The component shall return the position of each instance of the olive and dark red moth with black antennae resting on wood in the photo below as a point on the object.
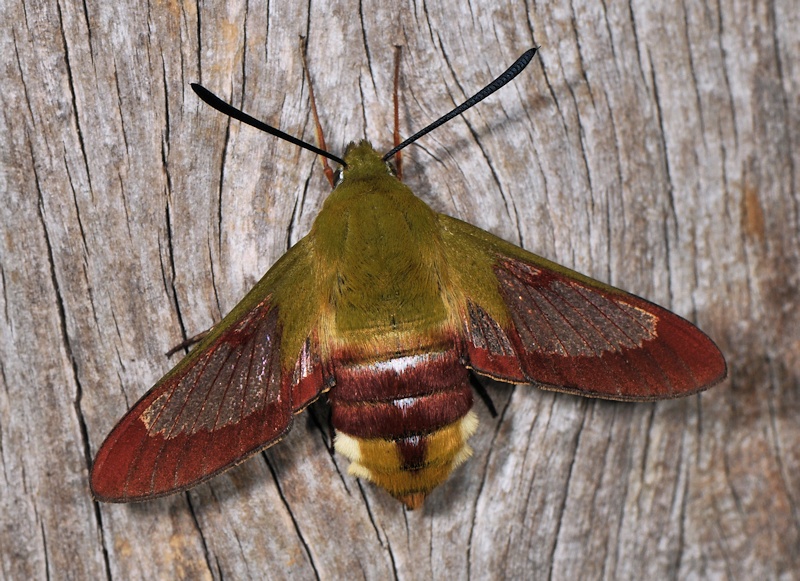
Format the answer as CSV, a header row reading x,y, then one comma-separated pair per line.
x,y
388,307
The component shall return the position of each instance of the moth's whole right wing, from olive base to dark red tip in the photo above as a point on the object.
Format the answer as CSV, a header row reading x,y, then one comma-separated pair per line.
x,y
530,320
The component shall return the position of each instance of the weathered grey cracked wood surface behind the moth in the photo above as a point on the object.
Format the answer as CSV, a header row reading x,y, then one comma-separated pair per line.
x,y
656,148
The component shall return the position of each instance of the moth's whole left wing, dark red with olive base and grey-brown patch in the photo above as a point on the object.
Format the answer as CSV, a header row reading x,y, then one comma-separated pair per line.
x,y
233,395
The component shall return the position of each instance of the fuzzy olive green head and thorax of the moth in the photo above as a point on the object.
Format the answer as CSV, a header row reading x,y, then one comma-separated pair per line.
x,y
380,252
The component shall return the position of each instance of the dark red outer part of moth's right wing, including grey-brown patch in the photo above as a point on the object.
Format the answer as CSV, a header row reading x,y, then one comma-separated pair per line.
x,y
572,337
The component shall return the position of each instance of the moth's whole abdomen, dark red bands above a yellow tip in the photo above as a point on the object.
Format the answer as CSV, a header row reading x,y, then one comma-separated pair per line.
x,y
403,421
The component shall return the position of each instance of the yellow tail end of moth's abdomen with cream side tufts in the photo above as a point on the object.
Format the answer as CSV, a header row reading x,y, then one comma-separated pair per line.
x,y
385,462
